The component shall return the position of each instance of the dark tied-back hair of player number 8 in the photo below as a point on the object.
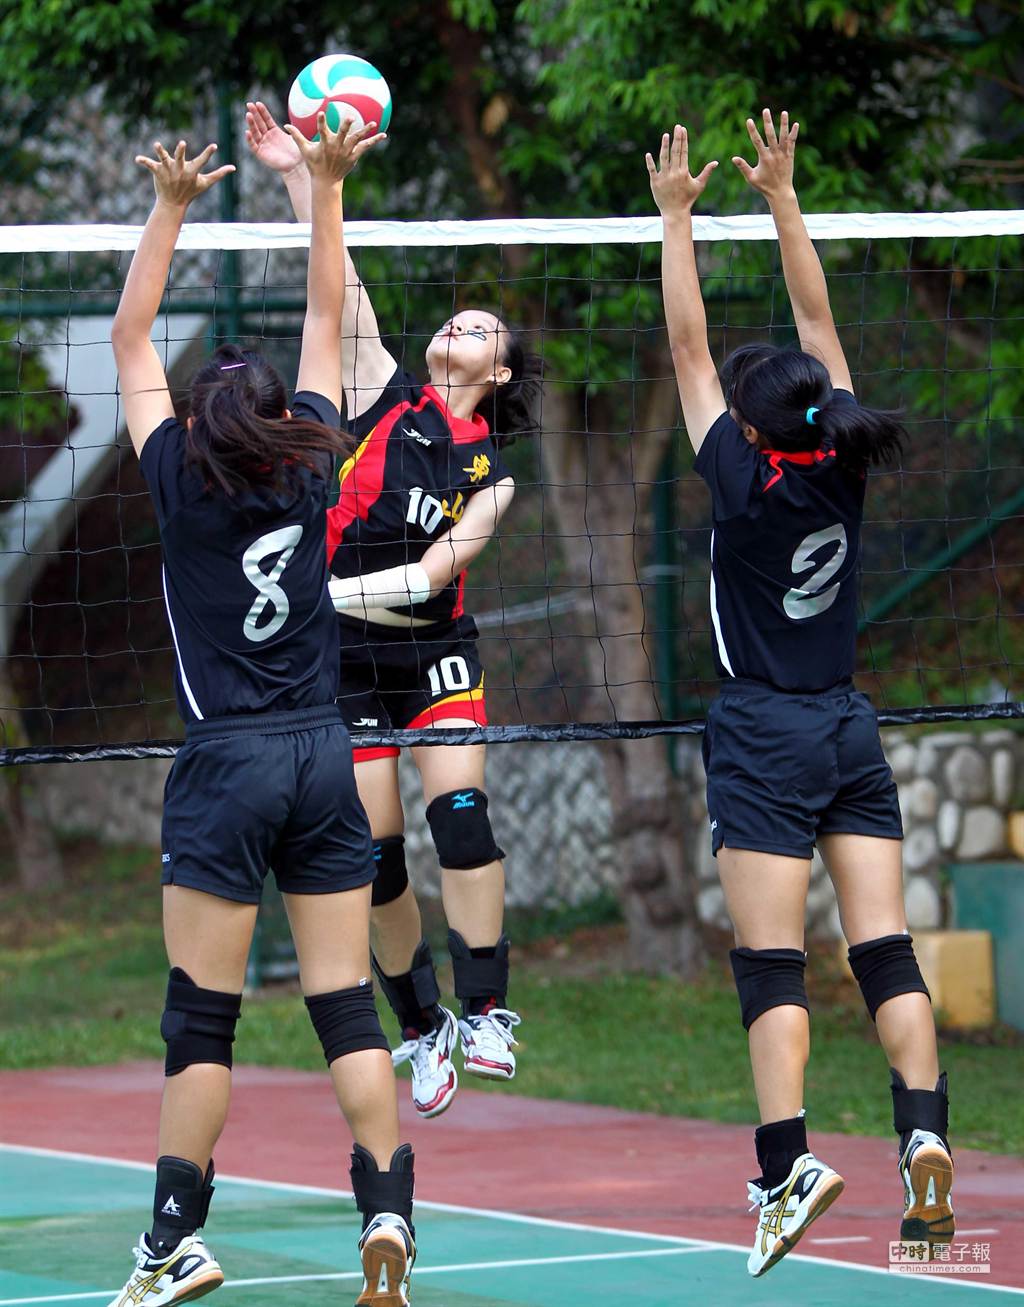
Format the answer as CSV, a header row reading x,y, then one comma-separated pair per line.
x,y
239,436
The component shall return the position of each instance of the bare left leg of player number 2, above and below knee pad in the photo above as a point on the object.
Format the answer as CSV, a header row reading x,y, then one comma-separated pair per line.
x,y
767,897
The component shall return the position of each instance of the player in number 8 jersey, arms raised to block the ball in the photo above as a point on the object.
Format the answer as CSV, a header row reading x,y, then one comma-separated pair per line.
x,y
266,773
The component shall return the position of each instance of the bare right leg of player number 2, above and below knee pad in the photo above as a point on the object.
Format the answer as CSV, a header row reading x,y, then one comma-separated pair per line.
x,y
868,875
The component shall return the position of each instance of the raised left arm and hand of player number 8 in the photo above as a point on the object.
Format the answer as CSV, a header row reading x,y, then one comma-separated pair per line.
x,y
141,373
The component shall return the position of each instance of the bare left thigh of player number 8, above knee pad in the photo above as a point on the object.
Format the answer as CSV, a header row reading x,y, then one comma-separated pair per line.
x,y
209,938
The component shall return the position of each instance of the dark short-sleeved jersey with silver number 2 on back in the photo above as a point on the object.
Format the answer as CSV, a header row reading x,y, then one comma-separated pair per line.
x,y
785,550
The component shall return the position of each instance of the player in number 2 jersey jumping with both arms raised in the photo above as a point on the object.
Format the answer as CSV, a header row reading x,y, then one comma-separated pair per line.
x,y
793,753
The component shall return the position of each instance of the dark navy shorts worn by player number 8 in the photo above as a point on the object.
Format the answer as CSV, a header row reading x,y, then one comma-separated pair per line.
x,y
252,793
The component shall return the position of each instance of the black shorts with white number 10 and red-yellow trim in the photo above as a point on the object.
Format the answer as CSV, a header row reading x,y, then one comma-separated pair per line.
x,y
409,678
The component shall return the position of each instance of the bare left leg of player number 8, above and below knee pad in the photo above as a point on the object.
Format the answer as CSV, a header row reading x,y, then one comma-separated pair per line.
x,y
210,939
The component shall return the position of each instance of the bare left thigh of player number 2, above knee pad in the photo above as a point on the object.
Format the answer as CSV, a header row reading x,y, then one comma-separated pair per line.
x,y
767,897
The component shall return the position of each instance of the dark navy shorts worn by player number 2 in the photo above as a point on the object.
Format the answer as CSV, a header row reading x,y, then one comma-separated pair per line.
x,y
784,769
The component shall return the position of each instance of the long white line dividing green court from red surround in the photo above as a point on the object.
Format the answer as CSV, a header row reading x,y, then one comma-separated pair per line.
x,y
513,1217
